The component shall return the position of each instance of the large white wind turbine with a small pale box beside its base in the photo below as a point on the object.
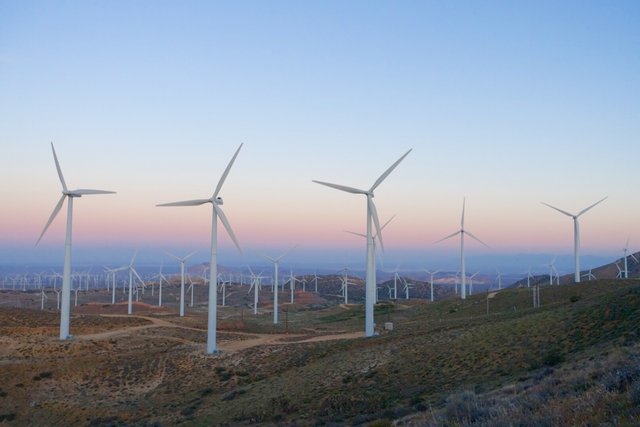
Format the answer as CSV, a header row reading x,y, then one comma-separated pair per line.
x,y
372,216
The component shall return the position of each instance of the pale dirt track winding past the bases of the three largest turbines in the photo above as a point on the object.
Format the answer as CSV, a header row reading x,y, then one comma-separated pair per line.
x,y
226,346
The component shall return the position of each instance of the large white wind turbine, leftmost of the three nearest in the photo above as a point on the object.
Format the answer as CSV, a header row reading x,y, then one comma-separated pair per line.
x,y
65,311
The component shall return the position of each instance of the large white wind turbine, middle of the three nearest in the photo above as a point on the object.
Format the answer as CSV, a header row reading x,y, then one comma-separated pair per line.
x,y
216,202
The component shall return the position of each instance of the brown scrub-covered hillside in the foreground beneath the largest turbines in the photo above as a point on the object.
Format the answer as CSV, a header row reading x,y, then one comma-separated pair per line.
x,y
575,360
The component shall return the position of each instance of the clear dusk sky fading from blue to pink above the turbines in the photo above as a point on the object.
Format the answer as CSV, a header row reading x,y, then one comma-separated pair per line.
x,y
505,103
